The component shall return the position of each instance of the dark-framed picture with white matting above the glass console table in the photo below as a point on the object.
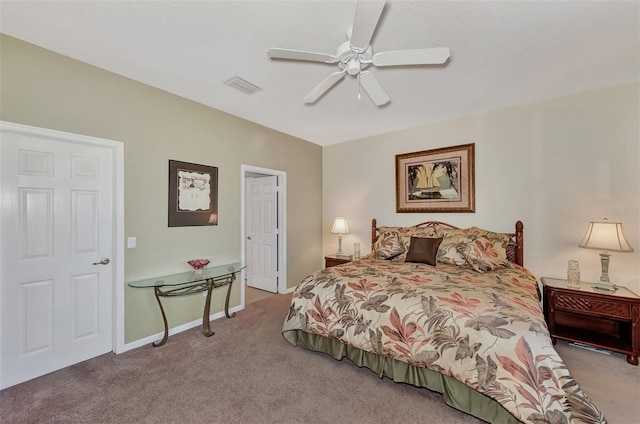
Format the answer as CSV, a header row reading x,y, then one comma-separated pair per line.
x,y
193,194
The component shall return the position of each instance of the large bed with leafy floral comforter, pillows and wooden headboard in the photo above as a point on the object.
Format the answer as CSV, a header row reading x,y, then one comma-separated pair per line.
x,y
448,309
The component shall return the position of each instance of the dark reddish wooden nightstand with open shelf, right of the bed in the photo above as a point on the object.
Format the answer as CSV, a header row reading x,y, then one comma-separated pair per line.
x,y
585,315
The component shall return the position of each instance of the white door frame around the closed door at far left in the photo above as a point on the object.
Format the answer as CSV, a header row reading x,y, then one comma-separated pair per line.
x,y
118,213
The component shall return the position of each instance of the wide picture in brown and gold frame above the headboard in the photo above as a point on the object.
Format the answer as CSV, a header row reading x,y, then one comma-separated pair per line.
x,y
438,180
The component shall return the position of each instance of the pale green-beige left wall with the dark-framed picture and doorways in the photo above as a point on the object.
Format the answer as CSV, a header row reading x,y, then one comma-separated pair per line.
x,y
44,89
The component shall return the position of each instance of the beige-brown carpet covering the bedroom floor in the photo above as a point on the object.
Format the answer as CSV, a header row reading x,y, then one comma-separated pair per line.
x,y
248,373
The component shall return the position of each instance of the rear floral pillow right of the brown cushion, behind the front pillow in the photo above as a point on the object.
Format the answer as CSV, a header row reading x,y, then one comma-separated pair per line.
x,y
453,238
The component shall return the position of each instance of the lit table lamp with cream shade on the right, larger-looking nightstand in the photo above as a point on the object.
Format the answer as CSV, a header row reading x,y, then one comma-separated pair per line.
x,y
607,236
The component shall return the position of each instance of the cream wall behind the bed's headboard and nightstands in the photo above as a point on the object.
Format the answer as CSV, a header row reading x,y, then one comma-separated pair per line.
x,y
555,165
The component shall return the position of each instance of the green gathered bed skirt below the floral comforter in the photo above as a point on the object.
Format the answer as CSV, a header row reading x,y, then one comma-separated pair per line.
x,y
455,393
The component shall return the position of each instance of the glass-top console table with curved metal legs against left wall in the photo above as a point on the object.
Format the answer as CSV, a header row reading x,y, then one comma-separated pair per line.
x,y
187,283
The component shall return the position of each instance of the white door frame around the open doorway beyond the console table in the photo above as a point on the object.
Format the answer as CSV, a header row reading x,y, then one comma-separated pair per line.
x,y
282,220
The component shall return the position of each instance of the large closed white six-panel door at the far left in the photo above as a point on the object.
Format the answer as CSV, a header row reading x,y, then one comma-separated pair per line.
x,y
56,282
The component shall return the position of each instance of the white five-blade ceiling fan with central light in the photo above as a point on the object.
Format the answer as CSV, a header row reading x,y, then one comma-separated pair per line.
x,y
355,55
